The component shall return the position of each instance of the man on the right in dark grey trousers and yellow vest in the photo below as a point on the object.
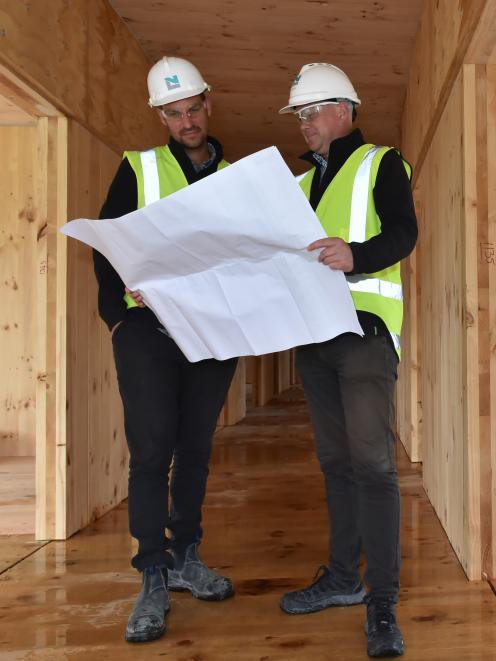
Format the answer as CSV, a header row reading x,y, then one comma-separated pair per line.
x,y
362,197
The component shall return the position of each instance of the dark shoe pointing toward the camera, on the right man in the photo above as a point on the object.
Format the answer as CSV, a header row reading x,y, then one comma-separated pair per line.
x,y
384,637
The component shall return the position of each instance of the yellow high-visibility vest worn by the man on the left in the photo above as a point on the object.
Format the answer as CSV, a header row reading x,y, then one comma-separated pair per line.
x,y
158,174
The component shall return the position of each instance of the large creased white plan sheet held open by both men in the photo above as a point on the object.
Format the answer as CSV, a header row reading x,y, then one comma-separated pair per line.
x,y
223,263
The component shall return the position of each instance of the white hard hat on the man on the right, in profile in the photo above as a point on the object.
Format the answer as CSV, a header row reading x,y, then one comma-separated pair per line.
x,y
317,82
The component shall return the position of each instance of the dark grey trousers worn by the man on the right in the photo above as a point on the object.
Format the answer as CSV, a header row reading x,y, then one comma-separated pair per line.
x,y
349,385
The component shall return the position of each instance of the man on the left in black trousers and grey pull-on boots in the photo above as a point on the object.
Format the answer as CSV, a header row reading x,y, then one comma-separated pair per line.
x,y
171,406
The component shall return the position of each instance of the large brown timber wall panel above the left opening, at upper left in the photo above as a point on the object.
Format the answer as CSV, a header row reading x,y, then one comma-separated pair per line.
x,y
80,56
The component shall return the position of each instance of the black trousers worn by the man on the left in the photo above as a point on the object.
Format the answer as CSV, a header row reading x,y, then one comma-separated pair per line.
x,y
171,407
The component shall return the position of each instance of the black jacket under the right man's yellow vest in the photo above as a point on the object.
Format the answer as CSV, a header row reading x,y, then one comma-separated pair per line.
x,y
394,205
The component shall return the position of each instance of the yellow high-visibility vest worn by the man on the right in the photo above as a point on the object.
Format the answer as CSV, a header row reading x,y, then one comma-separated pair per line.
x,y
347,210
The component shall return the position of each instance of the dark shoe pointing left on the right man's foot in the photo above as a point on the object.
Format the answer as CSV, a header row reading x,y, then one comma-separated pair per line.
x,y
322,593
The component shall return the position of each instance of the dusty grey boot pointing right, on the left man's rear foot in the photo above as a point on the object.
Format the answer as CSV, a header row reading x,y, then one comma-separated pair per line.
x,y
191,573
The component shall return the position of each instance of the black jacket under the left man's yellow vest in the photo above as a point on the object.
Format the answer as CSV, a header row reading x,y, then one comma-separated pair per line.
x,y
122,198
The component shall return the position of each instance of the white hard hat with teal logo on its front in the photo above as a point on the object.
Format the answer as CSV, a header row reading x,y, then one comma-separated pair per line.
x,y
172,79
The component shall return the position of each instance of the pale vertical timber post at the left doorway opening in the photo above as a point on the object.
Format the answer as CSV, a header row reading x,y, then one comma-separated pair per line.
x,y
51,313
